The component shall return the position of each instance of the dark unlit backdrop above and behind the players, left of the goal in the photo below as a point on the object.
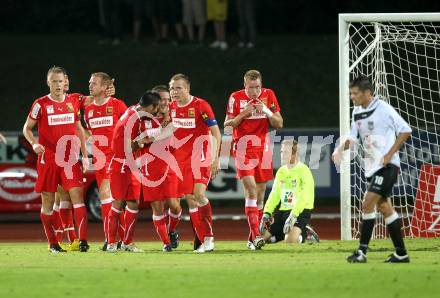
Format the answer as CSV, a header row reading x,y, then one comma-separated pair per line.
x,y
297,53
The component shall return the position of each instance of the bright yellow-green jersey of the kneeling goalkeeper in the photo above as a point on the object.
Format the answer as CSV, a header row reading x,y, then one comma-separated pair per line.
x,y
293,189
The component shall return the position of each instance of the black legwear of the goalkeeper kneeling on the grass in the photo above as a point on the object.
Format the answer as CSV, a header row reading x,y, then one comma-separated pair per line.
x,y
280,217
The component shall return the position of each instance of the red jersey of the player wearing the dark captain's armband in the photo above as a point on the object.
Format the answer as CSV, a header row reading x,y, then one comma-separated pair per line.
x,y
193,119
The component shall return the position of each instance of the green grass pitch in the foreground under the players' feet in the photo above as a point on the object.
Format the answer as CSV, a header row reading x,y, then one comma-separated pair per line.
x,y
28,270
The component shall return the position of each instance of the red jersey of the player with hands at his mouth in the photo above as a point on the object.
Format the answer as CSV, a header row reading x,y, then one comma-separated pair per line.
x,y
258,123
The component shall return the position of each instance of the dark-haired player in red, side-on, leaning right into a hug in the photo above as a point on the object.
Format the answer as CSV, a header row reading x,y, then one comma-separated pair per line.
x,y
123,172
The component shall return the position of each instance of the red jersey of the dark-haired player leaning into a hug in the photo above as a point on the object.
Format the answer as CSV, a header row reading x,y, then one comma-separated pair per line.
x,y
121,142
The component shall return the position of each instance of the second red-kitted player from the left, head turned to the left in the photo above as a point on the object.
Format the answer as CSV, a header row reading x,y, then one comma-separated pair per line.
x,y
101,117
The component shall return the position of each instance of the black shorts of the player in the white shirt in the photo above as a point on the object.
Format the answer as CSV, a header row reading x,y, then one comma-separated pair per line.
x,y
382,181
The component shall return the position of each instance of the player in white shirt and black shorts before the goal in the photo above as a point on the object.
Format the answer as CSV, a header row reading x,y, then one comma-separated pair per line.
x,y
380,131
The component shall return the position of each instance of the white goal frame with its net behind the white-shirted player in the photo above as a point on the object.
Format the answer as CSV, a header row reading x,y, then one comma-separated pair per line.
x,y
402,58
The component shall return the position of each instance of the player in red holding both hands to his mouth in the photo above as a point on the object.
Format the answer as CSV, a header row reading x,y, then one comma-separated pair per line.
x,y
250,112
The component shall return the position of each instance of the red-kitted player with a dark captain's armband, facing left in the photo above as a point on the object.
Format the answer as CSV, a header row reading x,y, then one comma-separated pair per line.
x,y
195,125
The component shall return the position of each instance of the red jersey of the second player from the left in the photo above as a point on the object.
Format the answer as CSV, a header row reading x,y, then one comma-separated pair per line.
x,y
101,120
